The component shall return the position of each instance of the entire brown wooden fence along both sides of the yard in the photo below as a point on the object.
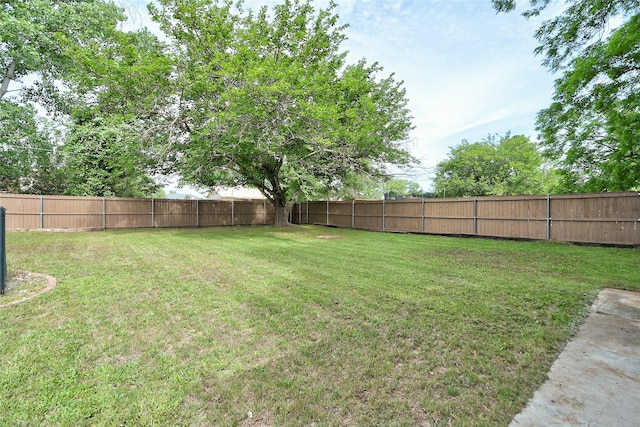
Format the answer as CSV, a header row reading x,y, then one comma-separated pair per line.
x,y
603,218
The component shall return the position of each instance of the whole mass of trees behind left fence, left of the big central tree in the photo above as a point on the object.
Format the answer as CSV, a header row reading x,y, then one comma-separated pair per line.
x,y
106,88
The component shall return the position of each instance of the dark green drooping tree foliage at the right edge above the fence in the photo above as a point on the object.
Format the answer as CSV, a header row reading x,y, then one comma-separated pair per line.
x,y
592,128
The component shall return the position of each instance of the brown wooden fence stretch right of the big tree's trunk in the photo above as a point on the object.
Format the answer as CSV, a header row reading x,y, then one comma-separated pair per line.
x,y
603,218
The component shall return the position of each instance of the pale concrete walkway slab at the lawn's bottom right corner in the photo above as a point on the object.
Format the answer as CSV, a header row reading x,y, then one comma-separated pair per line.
x,y
596,379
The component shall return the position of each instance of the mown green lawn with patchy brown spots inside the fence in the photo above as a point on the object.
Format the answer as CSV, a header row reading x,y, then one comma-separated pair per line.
x,y
263,326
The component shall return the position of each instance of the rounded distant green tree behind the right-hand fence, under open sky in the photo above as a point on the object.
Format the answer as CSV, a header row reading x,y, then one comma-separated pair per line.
x,y
508,166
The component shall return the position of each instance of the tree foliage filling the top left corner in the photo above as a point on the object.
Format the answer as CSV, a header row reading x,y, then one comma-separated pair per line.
x,y
37,36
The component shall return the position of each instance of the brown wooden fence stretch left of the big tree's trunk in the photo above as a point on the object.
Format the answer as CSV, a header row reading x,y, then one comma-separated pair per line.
x,y
25,212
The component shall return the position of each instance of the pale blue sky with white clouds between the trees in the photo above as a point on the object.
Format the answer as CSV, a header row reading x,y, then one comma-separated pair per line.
x,y
468,71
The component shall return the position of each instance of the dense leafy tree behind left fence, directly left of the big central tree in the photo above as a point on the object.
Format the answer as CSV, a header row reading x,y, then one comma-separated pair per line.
x,y
118,110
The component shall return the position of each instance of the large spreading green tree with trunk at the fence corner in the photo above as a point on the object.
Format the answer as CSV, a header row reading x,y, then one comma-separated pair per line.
x,y
267,100
